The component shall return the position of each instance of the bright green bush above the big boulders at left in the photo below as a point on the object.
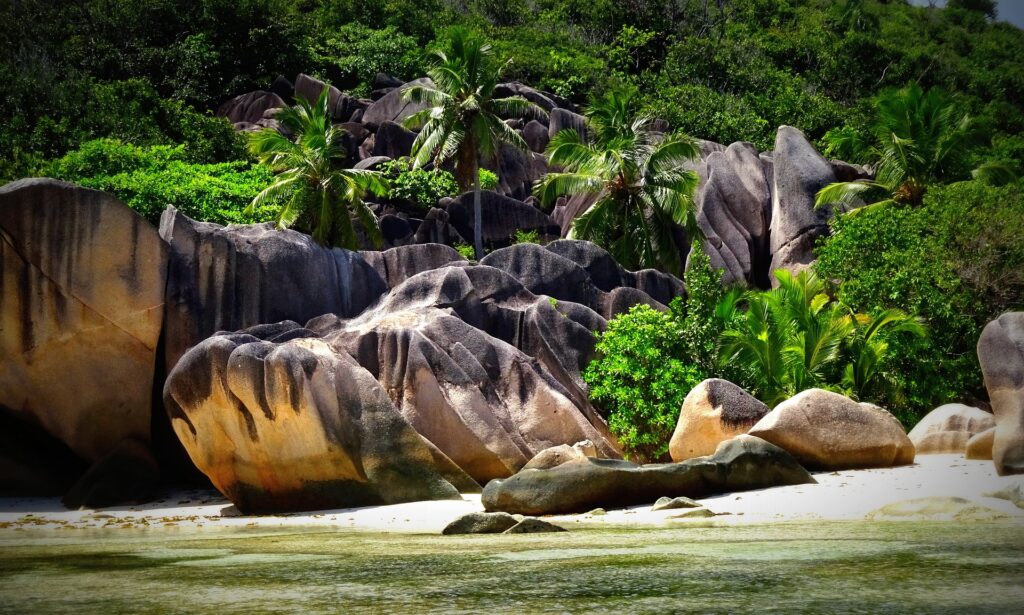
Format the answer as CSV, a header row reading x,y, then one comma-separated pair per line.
x,y
150,179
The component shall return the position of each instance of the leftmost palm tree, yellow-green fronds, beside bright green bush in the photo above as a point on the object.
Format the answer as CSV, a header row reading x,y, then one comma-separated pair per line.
x,y
319,196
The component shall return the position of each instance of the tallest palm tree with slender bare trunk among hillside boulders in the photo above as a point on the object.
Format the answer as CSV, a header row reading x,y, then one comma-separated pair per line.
x,y
463,120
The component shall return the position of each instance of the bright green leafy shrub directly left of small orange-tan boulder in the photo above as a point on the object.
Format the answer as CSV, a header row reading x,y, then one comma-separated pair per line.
x,y
641,378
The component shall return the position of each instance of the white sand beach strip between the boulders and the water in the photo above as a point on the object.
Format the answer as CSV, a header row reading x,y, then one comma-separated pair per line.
x,y
845,496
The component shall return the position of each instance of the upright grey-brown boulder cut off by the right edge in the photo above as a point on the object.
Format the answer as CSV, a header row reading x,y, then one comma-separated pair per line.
x,y
1001,353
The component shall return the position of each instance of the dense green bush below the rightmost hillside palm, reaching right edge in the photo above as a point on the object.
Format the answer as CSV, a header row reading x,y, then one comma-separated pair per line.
x,y
956,262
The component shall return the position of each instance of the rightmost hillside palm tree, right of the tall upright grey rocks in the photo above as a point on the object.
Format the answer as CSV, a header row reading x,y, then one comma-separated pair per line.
x,y
917,139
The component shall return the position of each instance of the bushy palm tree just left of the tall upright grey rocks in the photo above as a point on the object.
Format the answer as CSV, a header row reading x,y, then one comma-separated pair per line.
x,y
636,179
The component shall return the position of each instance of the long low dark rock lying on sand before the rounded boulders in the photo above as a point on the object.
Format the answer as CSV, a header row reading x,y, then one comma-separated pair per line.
x,y
742,464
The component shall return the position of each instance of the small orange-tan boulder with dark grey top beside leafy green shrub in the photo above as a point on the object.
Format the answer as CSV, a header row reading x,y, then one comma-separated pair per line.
x,y
714,412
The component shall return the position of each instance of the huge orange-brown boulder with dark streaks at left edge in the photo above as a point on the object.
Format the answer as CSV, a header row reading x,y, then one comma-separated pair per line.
x,y
82,282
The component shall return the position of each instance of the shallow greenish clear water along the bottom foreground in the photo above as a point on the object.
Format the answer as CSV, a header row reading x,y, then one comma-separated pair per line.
x,y
784,568
